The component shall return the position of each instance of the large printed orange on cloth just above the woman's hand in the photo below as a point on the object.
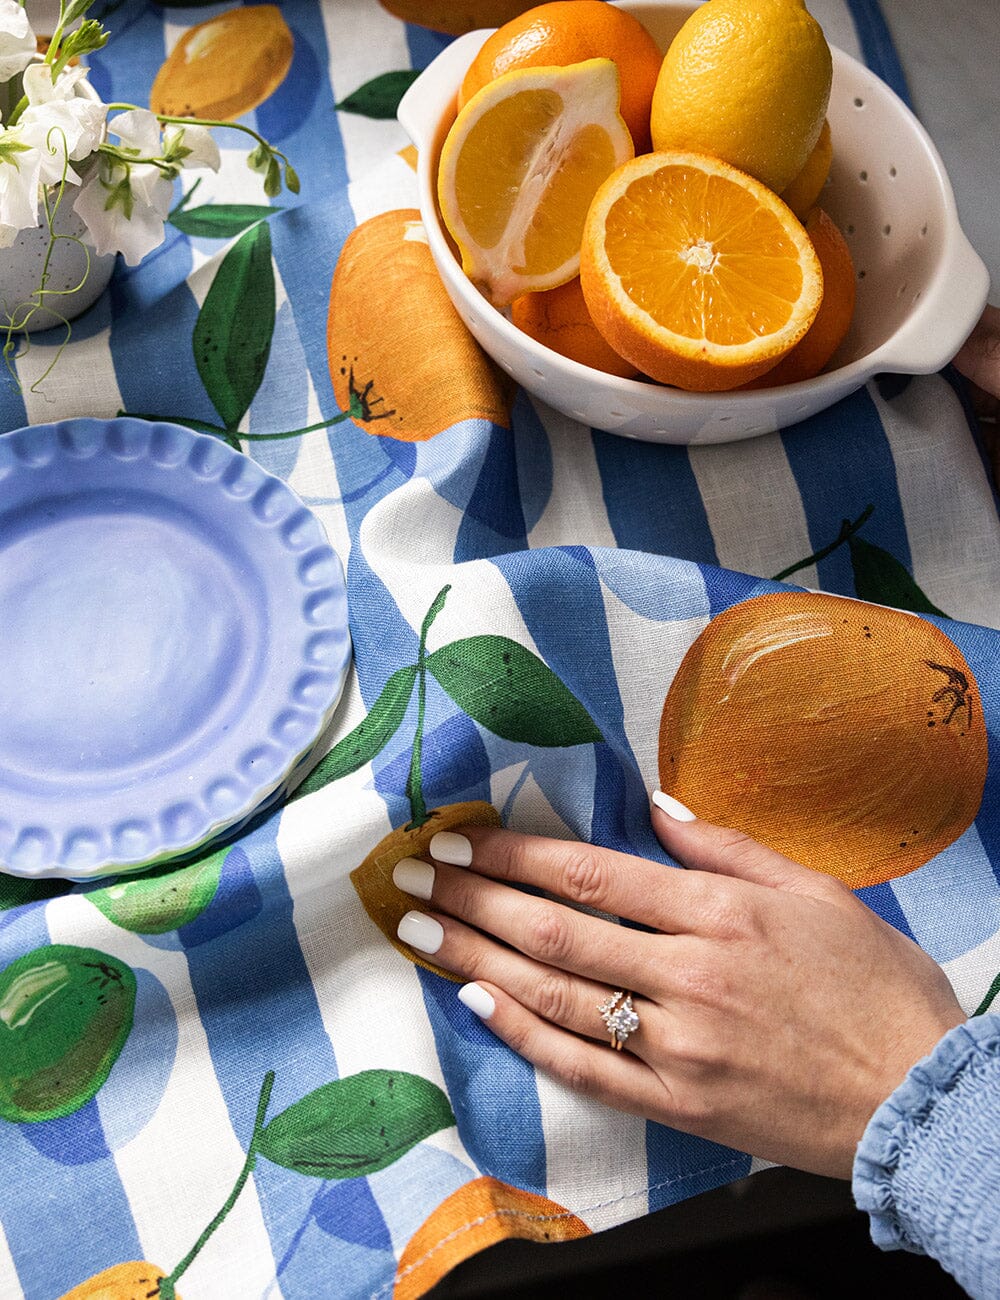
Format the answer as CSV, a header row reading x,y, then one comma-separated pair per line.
x,y
845,735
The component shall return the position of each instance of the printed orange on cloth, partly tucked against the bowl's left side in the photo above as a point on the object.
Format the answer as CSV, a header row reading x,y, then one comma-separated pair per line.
x,y
392,331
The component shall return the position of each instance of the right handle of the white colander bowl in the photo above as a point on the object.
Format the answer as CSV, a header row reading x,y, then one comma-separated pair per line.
x,y
946,315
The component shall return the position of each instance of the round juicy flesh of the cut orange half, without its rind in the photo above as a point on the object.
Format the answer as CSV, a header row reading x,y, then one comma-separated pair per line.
x,y
713,266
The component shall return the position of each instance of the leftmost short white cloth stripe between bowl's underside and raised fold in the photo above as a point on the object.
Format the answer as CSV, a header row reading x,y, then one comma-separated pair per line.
x,y
575,480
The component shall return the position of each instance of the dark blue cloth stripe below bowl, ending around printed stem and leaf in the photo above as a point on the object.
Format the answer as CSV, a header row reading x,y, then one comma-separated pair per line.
x,y
843,463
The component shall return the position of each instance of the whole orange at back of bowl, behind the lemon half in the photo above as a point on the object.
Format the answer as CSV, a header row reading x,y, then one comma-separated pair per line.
x,y
570,32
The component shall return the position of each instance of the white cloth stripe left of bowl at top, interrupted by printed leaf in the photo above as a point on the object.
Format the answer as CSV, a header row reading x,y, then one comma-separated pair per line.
x,y
367,38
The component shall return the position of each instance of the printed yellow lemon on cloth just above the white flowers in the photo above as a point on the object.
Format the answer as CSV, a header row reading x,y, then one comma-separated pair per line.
x,y
226,67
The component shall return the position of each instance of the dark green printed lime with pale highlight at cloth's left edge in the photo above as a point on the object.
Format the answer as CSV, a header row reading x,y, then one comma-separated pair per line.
x,y
66,1013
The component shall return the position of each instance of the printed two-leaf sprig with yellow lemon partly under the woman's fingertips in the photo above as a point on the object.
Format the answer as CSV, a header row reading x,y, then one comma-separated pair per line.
x,y
496,682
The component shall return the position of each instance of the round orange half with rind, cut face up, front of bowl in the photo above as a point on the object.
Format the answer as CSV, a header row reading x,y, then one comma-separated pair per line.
x,y
696,272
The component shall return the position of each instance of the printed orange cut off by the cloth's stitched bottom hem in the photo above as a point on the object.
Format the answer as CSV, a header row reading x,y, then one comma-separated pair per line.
x,y
477,1216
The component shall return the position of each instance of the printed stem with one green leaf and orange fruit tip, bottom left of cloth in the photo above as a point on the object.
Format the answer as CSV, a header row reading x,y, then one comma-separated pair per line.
x,y
347,1129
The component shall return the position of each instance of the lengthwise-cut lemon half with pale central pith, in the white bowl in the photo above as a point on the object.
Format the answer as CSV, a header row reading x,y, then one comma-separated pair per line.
x,y
520,168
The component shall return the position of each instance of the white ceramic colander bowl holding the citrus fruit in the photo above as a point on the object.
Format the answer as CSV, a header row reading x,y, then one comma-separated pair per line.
x,y
921,285
